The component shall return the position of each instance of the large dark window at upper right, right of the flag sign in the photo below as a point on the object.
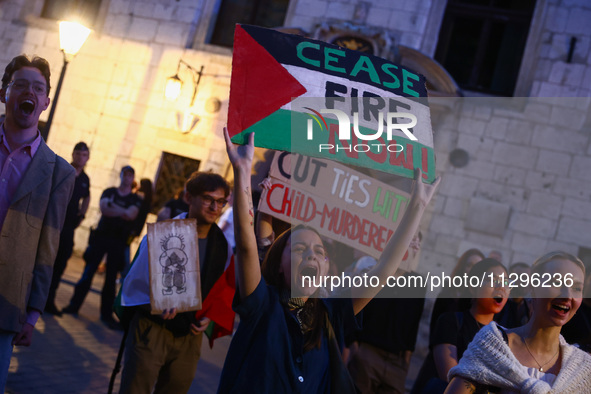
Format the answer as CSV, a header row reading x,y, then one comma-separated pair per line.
x,y
481,43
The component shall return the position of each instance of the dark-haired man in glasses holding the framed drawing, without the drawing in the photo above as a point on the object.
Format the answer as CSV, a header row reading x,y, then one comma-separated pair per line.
x,y
162,351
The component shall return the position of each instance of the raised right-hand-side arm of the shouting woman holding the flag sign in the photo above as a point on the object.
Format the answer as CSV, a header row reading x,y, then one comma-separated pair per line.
x,y
398,244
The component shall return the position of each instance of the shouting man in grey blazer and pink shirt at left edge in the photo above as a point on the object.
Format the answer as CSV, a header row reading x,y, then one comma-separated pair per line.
x,y
35,187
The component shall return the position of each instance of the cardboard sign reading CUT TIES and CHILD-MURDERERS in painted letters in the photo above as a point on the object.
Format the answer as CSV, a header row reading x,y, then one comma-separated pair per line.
x,y
340,203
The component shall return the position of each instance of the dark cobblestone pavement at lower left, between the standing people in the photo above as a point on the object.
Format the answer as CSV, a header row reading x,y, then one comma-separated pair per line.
x,y
77,354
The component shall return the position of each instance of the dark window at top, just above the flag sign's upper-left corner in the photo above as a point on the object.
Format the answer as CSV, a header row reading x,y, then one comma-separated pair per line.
x,y
264,13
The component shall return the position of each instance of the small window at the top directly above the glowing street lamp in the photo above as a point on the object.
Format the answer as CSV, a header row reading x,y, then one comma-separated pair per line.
x,y
83,11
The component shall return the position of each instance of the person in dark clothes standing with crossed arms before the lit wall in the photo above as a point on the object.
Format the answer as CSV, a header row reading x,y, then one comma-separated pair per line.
x,y
119,207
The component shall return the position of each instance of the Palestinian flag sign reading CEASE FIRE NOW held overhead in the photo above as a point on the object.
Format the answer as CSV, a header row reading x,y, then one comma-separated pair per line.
x,y
317,99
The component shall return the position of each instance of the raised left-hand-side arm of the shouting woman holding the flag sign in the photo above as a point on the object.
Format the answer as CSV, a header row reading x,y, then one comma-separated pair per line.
x,y
247,259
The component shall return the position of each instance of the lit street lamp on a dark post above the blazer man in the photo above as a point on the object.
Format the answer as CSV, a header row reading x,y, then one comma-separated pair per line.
x,y
72,37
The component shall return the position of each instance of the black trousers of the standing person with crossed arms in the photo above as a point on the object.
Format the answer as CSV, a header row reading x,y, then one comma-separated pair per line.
x,y
100,245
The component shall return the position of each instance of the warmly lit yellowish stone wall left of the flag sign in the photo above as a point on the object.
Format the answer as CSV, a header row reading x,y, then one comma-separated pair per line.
x,y
112,96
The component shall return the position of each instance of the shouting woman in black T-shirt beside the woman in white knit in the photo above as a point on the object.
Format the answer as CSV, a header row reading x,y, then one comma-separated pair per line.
x,y
454,330
